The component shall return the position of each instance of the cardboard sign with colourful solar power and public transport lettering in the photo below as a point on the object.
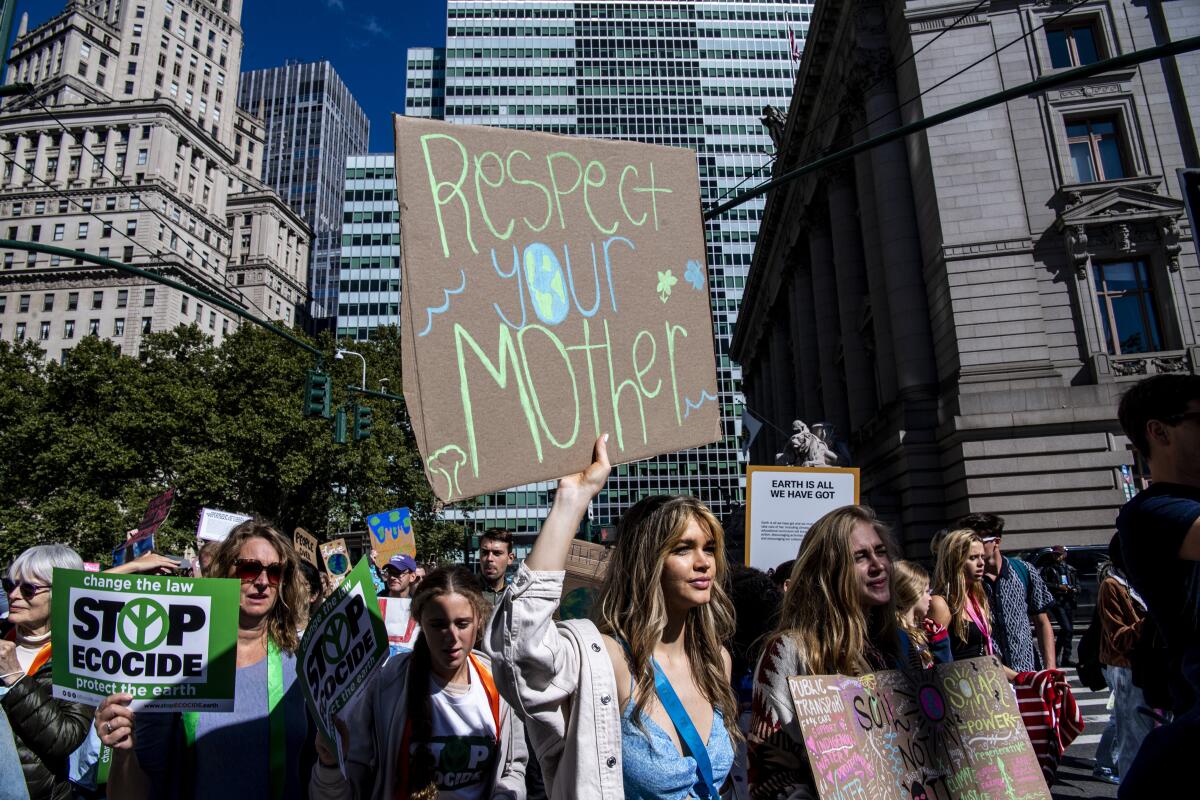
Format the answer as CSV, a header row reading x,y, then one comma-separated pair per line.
x,y
951,732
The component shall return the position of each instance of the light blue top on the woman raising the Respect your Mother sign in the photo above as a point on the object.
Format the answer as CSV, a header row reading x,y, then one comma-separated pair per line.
x,y
653,768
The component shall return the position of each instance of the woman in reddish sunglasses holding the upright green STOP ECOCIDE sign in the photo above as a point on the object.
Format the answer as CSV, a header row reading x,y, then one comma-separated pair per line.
x,y
255,751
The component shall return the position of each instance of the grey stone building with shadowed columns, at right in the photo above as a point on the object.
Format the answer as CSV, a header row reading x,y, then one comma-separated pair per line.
x,y
968,305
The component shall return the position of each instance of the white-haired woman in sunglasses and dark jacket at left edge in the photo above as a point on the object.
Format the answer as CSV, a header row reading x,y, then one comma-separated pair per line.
x,y
46,731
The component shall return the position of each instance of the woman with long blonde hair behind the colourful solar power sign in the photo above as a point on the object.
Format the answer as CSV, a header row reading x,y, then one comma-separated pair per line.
x,y
838,618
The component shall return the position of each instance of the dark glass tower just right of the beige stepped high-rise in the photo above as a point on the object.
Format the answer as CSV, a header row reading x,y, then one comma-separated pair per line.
x,y
313,125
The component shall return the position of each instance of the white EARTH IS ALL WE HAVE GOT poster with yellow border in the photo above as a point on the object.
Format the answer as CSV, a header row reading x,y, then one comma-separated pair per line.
x,y
784,502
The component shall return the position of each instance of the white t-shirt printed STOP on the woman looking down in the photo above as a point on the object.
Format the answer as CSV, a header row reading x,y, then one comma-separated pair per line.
x,y
464,741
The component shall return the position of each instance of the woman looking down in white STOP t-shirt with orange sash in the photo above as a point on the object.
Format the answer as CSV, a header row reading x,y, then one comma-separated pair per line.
x,y
431,724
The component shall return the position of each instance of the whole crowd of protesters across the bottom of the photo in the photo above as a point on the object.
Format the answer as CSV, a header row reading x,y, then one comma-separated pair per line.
x,y
676,688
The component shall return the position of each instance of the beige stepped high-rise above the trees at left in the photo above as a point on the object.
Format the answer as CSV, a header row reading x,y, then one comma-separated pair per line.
x,y
133,147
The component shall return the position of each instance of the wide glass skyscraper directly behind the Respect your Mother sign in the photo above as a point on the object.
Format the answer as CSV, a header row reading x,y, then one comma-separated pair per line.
x,y
694,75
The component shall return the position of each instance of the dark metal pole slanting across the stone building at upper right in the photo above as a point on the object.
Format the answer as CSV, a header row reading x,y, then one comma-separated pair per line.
x,y
1034,87
